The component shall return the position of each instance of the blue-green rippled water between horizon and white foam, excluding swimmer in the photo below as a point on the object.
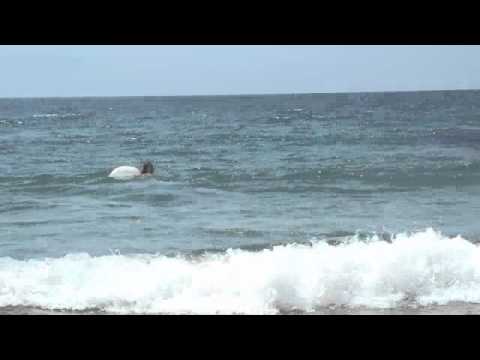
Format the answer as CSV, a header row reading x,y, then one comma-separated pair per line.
x,y
241,172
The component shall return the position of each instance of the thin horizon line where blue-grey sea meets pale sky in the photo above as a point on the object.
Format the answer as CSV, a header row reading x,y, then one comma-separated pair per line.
x,y
238,94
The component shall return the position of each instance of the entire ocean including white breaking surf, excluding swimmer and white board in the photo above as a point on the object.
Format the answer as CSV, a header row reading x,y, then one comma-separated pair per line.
x,y
273,204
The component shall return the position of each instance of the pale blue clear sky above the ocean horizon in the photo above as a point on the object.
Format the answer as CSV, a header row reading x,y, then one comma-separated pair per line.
x,y
161,70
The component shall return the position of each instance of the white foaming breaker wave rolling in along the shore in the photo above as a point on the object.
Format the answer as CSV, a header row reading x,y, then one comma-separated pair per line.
x,y
424,268
